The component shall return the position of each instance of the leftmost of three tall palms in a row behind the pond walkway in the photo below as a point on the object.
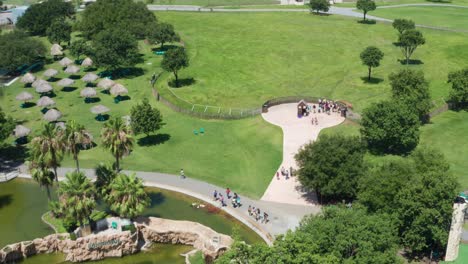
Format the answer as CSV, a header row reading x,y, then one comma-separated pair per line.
x,y
49,147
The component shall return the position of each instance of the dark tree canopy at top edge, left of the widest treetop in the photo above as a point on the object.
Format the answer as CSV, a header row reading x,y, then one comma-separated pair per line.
x,y
38,17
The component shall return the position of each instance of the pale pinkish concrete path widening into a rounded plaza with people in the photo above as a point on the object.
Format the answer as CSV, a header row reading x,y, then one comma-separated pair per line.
x,y
296,133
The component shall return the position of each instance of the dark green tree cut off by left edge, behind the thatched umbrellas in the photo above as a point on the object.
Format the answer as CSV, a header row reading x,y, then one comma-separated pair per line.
x,y
17,49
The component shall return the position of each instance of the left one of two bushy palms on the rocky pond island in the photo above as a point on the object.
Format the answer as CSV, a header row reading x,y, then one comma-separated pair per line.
x,y
77,197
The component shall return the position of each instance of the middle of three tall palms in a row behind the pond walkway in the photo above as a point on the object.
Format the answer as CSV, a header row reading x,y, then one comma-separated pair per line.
x,y
75,137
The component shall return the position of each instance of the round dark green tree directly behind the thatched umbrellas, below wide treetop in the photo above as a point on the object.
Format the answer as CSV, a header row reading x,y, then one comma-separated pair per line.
x,y
115,48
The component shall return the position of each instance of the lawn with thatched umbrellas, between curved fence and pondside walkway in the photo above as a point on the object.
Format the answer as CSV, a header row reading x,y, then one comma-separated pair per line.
x,y
242,155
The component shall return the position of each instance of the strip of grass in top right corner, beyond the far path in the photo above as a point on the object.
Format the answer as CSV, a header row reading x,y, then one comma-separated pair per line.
x,y
445,17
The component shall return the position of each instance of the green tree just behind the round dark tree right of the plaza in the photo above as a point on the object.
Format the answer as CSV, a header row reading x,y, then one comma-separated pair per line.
x,y
411,88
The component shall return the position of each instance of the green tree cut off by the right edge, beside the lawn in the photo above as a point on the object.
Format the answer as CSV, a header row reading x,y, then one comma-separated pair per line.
x,y
459,91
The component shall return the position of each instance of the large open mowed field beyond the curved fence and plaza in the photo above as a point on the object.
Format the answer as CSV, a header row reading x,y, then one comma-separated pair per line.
x,y
244,59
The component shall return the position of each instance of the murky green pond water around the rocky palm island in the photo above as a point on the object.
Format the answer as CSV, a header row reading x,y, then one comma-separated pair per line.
x,y
22,202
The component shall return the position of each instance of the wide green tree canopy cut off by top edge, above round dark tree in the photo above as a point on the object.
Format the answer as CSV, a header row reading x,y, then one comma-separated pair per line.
x,y
126,15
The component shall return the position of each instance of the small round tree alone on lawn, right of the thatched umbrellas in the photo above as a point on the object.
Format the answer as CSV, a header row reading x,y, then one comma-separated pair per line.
x,y
145,118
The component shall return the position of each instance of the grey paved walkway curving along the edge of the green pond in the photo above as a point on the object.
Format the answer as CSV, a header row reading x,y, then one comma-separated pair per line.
x,y
282,216
